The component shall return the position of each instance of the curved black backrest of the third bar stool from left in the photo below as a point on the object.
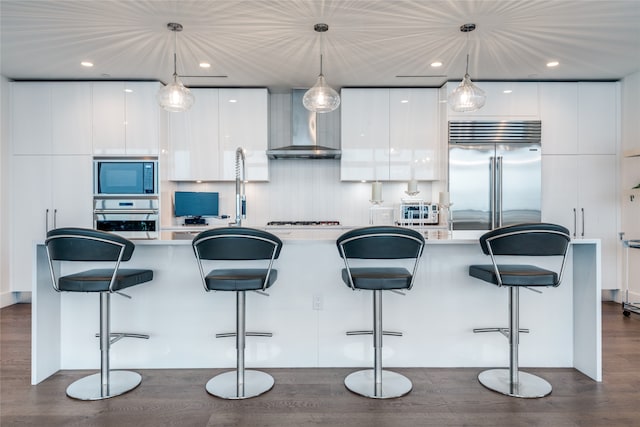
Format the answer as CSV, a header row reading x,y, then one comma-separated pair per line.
x,y
381,242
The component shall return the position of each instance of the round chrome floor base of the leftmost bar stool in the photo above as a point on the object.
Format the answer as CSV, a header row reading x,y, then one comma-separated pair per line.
x,y
90,388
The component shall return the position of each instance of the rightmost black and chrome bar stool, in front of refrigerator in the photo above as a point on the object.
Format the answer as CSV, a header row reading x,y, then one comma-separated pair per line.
x,y
529,240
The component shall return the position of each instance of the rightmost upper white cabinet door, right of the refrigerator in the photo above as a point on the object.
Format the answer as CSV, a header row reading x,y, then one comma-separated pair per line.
x,y
597,118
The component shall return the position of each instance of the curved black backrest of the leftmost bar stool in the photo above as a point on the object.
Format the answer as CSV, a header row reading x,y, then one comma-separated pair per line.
x,y
83,244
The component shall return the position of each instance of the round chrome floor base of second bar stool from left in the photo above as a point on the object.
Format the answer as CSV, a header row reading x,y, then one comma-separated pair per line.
x,y
225,385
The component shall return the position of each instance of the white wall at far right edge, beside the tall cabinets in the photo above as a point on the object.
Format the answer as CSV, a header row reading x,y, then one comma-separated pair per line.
x,y
630,177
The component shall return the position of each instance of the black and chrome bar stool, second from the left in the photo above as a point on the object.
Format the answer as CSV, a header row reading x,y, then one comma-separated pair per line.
x,y
238,244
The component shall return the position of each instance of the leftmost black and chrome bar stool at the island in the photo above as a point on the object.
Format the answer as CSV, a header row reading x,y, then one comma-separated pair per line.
x,y
79,244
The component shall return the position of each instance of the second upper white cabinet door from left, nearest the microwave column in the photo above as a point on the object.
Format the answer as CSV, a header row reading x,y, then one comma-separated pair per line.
x,y
71,118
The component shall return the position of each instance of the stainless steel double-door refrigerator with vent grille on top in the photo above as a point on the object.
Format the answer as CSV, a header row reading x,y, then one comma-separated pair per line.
x,y
494,173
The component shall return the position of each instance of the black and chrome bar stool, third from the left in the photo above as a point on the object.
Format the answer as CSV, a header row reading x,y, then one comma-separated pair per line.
x,y
380,243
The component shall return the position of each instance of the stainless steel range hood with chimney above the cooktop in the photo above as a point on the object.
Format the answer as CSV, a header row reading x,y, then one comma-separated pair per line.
x,y
306,131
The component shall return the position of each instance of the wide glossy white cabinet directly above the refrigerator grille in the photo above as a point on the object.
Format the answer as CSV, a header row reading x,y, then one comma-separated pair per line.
x,y
504,99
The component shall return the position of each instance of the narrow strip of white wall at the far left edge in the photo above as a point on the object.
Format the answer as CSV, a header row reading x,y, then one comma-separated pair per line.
x,y
5,294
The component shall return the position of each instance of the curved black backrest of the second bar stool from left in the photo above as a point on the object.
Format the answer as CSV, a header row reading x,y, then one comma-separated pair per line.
x,y
236,244
